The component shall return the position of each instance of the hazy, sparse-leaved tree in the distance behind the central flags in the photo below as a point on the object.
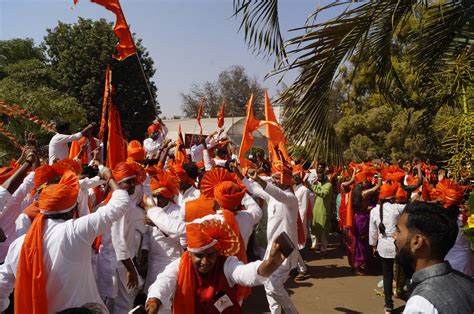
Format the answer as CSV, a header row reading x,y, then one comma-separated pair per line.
x,y
233,87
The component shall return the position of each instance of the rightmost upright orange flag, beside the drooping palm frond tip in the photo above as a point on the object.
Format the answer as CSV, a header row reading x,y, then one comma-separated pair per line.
x,y
276,138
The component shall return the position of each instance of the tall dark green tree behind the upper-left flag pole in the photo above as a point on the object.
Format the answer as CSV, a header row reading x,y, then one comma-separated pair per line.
x,y
79,54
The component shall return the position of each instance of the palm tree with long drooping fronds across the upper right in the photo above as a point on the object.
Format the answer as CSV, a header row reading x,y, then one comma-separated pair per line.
x,y
364,30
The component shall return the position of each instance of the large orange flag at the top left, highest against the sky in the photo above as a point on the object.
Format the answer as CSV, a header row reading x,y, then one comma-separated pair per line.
x,y
126,45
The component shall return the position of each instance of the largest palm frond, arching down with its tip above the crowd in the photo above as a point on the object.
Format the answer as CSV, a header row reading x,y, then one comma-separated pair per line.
x,y
366,30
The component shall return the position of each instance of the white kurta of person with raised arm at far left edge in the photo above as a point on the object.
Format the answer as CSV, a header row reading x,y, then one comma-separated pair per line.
x,y
13,209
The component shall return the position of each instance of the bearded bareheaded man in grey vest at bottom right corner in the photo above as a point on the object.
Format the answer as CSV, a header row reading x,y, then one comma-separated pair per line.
x,y
424,234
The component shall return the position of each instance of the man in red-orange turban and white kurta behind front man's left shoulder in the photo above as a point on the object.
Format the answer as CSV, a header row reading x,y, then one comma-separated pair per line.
x,y
165,237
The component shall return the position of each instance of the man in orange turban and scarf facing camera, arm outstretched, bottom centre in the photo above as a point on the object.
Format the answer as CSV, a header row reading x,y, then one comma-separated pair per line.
x,y
204,279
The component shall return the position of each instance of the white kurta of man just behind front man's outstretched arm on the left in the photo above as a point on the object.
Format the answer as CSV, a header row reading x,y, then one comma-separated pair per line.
x,y
163,241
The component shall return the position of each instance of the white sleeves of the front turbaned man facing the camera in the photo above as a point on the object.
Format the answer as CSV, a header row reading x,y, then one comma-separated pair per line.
x,y
164,287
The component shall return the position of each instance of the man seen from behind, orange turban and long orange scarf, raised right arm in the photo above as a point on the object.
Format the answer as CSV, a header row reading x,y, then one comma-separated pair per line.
x,y
50,267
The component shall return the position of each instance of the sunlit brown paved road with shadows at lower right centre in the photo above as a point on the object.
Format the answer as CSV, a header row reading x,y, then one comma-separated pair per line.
x,y
332,289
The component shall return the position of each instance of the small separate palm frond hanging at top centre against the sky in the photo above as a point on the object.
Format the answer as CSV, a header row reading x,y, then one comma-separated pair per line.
x,y
261,27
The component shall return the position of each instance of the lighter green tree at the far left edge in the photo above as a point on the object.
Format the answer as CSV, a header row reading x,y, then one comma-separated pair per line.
x,y
26,82
